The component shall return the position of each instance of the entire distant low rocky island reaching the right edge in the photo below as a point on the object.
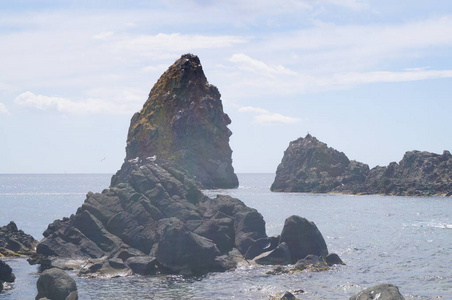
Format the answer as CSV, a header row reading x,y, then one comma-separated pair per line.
x,y
309,165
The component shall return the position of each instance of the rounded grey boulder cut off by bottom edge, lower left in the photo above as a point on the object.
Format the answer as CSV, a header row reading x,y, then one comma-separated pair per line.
x,y
55,284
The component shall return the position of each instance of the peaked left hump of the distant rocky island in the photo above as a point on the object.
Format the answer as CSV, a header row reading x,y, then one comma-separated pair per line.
x,y
309,165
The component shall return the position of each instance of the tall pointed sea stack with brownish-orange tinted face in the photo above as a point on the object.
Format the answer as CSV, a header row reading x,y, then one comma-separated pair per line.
x,y
183,124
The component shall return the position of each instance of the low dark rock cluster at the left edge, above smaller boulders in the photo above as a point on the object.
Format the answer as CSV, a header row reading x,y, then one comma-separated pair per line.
x,y
14,242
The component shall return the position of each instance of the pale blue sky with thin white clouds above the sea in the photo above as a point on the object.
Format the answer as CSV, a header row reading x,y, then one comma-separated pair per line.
x,y
372,79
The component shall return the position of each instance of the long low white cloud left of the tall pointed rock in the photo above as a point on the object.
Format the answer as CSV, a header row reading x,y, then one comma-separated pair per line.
x,y
64,105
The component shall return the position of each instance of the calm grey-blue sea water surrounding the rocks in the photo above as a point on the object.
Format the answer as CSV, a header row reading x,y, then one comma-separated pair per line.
x,y
405,241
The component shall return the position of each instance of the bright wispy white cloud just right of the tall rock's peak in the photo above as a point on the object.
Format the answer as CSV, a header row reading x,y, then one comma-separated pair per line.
x,y
245,62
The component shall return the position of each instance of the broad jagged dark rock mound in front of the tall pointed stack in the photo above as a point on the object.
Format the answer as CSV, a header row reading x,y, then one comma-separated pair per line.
x,y
152,220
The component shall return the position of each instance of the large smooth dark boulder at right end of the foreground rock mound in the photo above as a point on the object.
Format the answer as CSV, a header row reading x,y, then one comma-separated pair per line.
x,y
303,238
